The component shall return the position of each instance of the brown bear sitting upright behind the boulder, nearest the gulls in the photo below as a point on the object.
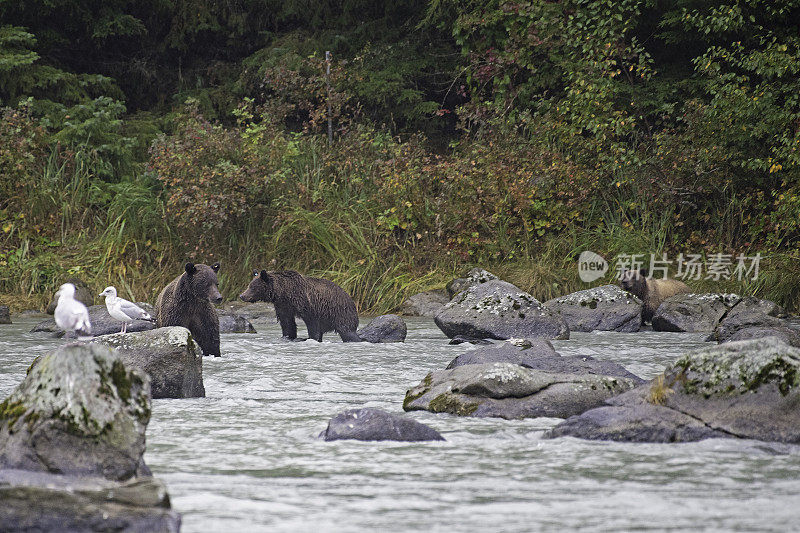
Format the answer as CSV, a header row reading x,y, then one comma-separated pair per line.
x,y
187,301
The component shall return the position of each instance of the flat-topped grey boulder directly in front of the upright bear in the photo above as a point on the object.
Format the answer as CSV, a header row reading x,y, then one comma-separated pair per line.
x,y
170,357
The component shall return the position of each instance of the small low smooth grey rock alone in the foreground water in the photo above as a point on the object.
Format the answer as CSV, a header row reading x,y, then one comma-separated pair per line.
x,y
374,424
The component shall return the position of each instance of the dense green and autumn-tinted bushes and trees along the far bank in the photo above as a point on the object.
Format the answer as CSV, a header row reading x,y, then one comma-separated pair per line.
x,y
510,135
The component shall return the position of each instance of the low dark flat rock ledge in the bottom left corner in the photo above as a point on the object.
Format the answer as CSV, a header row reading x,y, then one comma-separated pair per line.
x,y
50,502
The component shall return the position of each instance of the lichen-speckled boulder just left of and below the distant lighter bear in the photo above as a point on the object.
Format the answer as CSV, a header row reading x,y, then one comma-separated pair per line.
x,y
605,308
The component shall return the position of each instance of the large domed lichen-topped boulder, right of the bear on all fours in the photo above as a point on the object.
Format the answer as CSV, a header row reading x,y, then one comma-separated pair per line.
x,y
498,310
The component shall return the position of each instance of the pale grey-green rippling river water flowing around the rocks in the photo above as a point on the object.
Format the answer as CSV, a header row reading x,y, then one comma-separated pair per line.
x,y
247,457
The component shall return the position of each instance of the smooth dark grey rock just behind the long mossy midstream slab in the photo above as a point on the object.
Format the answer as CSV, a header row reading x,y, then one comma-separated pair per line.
x,y
540,355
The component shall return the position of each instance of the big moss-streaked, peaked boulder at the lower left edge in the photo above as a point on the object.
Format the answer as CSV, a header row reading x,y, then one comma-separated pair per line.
x,y
79,411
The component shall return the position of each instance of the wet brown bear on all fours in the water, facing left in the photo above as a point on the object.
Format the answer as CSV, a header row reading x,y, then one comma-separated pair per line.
x,y
323,305
